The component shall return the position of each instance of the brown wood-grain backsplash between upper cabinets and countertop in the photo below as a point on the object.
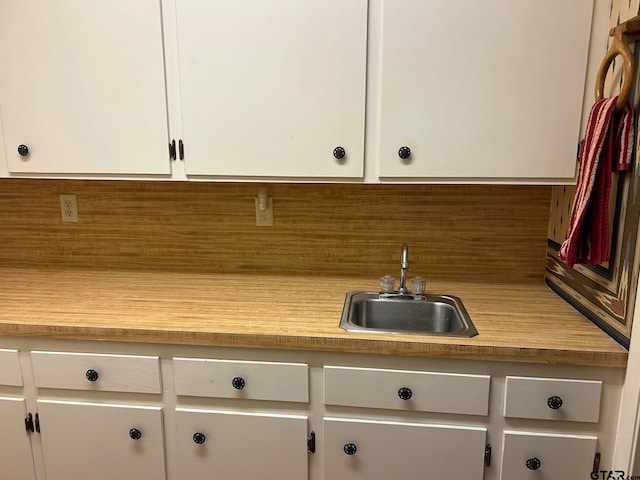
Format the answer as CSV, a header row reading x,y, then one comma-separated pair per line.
x,y
483,233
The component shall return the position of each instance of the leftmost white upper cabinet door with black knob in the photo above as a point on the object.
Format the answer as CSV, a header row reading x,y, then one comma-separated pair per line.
x,y
82,87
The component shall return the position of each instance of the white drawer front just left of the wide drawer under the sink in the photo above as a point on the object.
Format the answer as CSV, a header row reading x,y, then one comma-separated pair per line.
x,y
199,377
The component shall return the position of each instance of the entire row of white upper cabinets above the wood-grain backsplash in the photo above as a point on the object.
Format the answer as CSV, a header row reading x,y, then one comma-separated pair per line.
x,y
486,92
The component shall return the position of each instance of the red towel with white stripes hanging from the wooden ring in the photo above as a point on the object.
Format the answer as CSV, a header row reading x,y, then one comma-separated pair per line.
x,y
608,144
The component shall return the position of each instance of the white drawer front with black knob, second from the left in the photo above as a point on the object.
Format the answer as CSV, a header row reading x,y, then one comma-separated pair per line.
x,y
98,372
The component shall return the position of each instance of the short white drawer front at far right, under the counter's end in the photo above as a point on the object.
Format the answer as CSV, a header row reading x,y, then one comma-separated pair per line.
x,y
552,399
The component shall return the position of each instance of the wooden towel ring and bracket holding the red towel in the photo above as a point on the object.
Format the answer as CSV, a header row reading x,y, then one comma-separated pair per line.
x,y
623,35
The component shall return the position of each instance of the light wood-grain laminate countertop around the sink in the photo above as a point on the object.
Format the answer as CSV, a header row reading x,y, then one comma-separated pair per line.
x,y
522,323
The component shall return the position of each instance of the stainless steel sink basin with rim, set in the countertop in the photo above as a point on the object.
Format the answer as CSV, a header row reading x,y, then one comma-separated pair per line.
x,y
442,315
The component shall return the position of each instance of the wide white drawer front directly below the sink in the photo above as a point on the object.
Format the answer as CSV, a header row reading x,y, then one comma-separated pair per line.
x,y
428,392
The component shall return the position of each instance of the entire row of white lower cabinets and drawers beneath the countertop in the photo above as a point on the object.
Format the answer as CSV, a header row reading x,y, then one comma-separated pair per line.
x,y
149,412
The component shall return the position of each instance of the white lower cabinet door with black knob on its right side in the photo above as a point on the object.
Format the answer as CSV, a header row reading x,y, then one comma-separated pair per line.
x,y
101,441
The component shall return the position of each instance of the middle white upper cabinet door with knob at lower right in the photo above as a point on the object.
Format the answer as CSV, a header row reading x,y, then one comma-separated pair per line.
x,y
272,88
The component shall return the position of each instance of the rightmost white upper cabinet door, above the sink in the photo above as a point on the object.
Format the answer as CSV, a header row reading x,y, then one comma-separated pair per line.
x,y
482,90
